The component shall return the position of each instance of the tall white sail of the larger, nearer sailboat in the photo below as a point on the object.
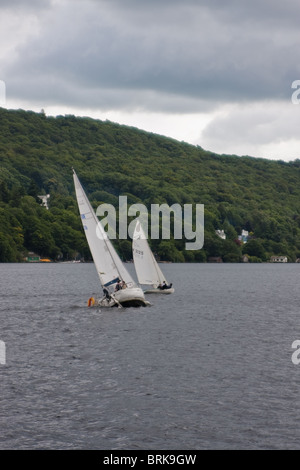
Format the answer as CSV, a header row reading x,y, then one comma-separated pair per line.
x,y
108,264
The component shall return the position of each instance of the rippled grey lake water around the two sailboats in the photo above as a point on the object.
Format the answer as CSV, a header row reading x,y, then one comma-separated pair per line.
x,y
208,367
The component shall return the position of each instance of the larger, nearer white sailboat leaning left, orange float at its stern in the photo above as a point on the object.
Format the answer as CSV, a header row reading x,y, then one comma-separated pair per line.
x,y
109,266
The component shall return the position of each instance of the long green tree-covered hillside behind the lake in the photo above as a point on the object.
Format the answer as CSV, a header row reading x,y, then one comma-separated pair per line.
x,y
239,193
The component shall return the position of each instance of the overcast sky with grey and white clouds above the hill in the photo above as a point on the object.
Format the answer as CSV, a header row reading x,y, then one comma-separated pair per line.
x,y
214,73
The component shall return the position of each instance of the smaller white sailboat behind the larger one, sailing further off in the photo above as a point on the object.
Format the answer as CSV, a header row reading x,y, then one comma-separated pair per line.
x,y
147,270
